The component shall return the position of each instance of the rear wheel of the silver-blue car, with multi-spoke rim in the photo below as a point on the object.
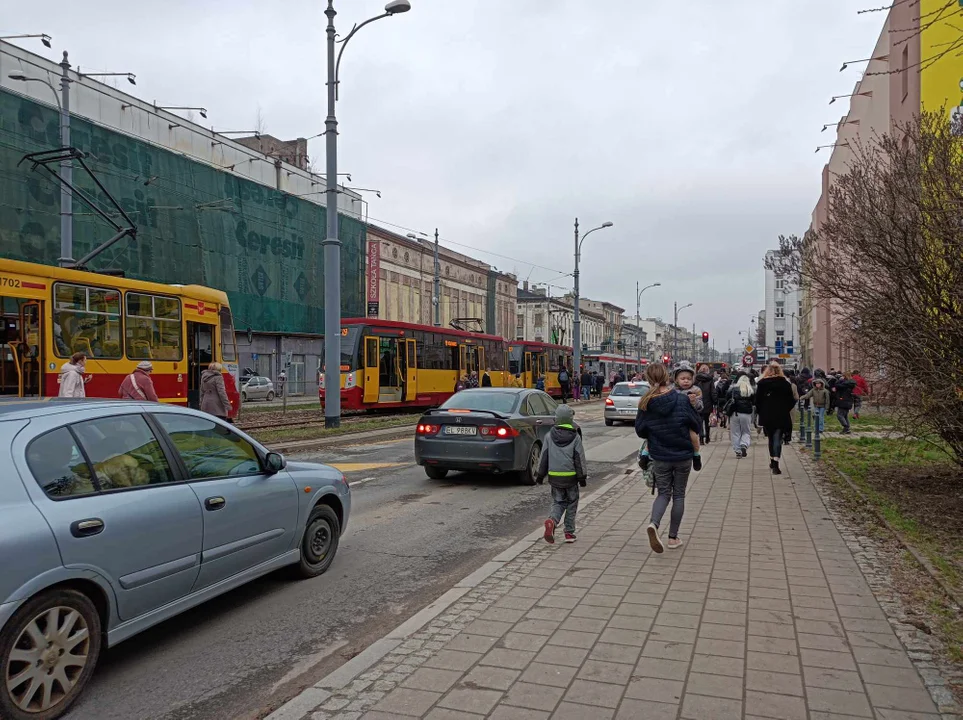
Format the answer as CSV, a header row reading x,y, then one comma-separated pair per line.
x,y
49,650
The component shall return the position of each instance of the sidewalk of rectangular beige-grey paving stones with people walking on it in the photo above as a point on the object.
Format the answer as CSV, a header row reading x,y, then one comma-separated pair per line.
x,y
763,614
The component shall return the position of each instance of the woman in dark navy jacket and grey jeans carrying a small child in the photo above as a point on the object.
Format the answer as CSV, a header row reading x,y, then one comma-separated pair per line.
x,y
670,426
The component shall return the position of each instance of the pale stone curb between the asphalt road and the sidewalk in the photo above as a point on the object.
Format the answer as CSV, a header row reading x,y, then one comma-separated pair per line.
x,y
310,698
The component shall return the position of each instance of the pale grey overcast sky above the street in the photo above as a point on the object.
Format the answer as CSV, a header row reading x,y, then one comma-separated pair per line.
x,y
690,124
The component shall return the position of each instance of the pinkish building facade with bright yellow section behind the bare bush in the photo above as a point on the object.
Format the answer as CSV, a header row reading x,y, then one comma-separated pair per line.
x,y
913,66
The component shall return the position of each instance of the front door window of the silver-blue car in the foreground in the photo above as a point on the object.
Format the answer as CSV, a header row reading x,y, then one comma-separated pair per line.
x,y
209,450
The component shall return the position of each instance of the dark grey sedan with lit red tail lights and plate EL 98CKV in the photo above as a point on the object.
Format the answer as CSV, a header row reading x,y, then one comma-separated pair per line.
x,y
497,430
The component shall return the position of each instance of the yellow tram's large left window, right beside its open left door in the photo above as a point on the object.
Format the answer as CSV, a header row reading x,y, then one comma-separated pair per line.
x,y
87,320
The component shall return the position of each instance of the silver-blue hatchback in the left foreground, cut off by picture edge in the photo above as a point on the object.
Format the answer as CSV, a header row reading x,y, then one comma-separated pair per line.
x,y
115,516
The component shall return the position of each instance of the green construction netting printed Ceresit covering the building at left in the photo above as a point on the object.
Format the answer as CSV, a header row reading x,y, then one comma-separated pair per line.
x,y
195,223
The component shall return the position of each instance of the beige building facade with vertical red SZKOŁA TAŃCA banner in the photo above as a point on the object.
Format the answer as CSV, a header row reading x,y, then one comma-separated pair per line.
x,y
400,282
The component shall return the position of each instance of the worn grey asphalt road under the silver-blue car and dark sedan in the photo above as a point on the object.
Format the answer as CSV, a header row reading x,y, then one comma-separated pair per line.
x,y
409,539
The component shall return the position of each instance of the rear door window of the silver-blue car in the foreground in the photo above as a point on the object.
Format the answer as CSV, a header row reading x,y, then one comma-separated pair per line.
x,y
123,452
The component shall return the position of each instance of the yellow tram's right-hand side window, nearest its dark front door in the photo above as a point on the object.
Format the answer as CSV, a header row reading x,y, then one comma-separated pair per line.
x,y
153,327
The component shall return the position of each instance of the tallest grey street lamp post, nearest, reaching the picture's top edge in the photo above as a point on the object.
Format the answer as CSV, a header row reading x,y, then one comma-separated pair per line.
x,y
332,242
